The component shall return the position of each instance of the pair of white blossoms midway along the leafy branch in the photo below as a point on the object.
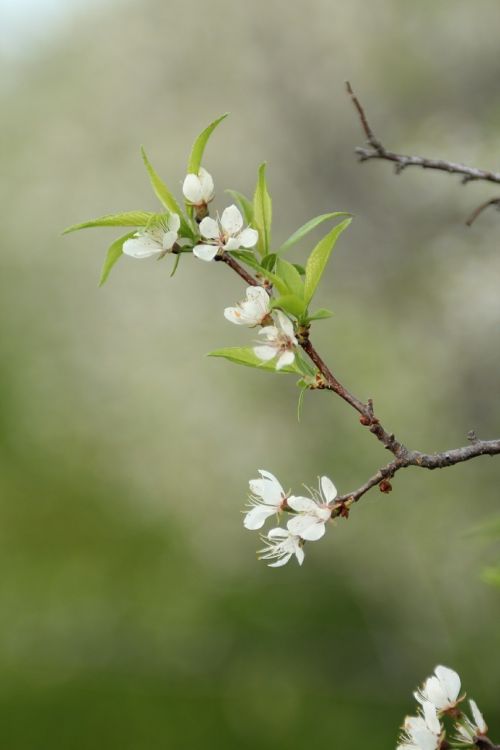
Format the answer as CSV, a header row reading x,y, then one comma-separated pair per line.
x,y
278,335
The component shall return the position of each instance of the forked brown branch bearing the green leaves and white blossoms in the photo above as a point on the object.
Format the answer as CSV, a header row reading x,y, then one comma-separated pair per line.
x,y
402,456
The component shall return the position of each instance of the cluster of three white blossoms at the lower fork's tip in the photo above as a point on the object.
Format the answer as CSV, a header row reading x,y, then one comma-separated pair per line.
x,y
309,516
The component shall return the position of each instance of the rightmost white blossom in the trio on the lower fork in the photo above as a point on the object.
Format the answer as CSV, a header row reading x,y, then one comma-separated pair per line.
x,y
312,512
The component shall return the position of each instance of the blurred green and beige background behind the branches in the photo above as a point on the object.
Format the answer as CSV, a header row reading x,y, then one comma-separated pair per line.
x,y
133,613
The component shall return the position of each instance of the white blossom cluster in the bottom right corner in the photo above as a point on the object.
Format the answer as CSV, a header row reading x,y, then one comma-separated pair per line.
x,y
439,698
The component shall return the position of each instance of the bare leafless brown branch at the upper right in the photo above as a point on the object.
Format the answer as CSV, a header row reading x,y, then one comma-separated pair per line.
x,y
376,150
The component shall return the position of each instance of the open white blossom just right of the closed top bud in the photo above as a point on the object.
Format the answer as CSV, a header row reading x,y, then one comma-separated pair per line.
x,y
225,233
